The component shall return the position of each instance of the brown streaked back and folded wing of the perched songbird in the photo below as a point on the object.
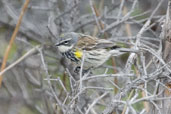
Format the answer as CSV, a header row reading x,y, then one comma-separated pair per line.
x,y
87,42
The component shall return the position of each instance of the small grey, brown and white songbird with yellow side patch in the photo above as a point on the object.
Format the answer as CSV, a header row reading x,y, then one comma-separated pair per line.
x,y
94,51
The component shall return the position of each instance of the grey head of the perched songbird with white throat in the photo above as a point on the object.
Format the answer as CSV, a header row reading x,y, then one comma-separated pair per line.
x,y
67,41
